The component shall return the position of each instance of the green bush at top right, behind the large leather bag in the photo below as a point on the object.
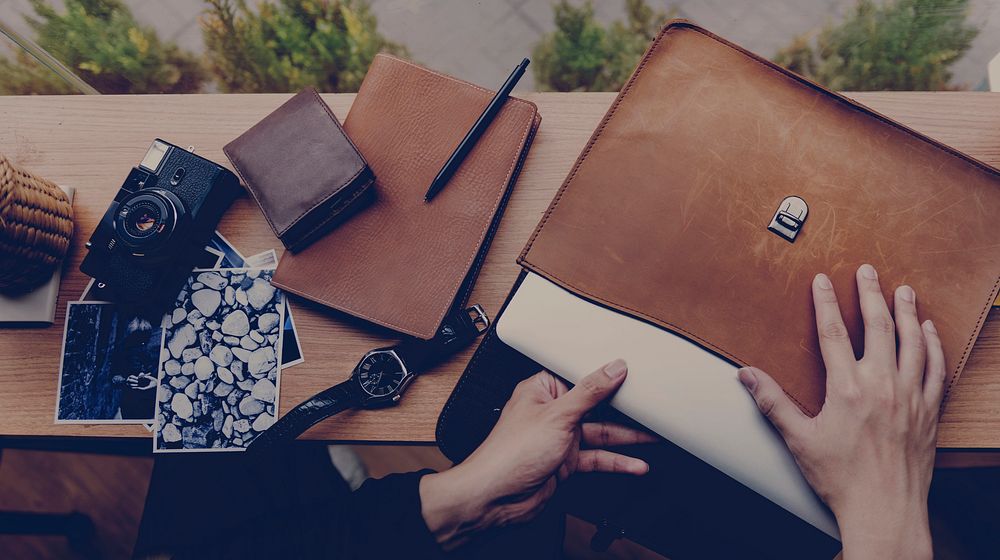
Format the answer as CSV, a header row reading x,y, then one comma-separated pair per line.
x,y
898,45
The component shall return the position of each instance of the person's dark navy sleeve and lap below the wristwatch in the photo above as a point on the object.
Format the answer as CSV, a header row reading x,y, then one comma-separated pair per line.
x,y
292,504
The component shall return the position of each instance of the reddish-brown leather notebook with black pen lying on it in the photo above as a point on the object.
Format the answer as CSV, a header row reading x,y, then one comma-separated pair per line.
x,y
402,263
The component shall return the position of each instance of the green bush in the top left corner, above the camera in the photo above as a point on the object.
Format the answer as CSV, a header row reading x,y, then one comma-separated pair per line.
x,y
101,42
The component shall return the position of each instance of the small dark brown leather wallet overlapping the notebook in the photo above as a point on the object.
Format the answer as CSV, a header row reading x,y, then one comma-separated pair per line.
x,y
303,170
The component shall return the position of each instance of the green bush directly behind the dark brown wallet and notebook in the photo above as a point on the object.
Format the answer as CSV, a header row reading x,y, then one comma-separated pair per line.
x,y
281,47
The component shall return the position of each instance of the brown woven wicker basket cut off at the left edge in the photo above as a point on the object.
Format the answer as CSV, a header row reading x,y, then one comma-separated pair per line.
x,y
36,223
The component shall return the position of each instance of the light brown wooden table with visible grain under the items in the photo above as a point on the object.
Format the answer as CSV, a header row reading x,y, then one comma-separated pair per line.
x,y
90,142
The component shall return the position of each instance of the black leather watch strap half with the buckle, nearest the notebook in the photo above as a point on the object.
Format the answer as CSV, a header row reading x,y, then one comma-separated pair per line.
x,y
457,330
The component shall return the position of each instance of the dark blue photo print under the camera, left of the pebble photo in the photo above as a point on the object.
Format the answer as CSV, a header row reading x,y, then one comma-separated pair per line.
x,y
108,368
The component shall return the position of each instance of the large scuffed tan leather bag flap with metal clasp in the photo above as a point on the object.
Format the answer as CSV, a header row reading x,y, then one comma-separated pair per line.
x,y
665,214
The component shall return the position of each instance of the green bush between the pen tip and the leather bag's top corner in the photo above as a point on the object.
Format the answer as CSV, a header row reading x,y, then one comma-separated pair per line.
x,y
583,55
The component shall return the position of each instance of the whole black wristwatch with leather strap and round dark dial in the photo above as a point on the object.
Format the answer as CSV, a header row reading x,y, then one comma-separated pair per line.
x,y
380,378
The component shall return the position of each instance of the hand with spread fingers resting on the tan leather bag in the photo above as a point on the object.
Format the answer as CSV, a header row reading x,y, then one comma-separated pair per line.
x,y
869,453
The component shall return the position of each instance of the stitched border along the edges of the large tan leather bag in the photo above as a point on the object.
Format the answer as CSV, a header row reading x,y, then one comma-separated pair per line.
x,y
523,258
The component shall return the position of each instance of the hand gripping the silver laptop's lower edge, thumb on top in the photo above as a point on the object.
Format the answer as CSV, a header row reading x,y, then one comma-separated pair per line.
x,y
539,440
